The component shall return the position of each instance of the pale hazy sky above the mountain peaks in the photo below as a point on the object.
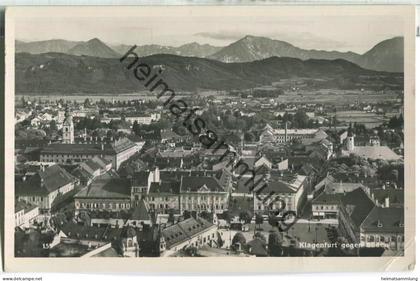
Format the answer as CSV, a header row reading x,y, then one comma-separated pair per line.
x,y
357,34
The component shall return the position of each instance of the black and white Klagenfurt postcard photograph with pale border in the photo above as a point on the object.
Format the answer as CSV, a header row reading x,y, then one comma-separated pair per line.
x,y
185,132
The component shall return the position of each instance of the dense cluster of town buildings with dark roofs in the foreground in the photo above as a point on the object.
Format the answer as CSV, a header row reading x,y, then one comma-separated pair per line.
x,y
173,197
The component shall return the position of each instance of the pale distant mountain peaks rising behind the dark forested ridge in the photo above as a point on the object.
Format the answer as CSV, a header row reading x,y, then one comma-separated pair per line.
x,y
387,55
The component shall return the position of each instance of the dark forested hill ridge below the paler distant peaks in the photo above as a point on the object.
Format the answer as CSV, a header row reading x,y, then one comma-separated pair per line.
x,y
58,73
